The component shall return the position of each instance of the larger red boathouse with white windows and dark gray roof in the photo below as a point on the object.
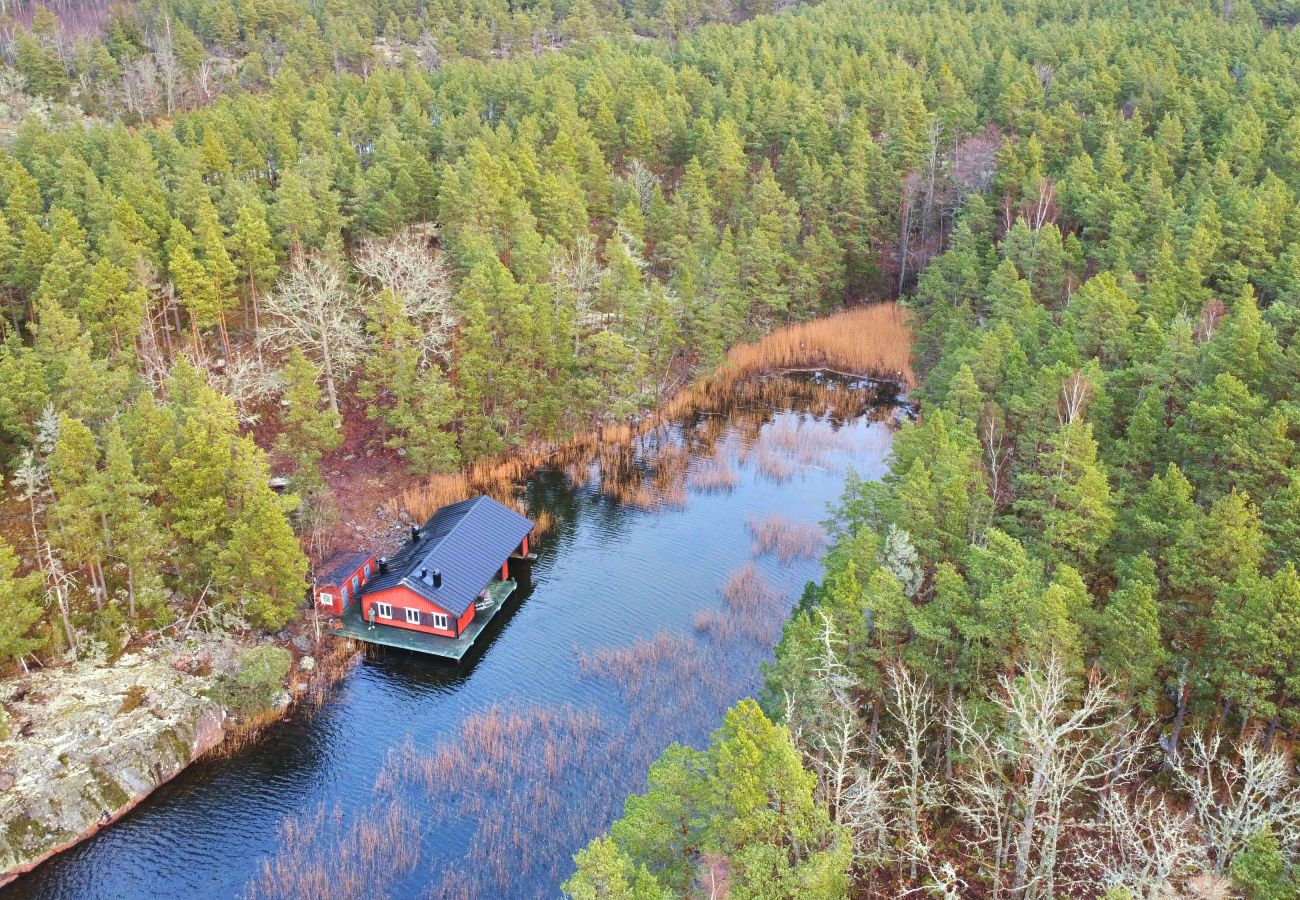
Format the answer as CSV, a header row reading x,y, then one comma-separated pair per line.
x,y
445,570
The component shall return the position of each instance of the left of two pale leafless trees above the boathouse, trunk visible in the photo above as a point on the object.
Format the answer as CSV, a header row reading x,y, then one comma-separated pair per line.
x,y
317,310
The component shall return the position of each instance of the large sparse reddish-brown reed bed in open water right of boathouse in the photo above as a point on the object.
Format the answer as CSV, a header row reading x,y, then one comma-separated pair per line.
x,y
536,781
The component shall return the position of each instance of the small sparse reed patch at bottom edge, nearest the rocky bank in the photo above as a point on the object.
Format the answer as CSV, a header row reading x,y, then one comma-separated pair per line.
x,y
323,856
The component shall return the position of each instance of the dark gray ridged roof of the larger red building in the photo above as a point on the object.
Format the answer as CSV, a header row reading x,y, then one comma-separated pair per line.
x,y
466,542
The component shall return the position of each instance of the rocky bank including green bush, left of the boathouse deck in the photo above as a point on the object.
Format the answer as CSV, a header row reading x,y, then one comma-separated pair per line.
x,y
85,743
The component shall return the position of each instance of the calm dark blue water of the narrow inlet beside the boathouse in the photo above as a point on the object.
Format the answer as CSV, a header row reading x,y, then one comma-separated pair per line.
x,y
638,569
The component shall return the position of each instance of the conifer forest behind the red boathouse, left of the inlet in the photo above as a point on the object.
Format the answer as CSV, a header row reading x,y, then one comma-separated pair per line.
x,y
463,259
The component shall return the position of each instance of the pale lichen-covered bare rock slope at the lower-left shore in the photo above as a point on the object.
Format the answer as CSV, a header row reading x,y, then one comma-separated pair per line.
x,y
88,743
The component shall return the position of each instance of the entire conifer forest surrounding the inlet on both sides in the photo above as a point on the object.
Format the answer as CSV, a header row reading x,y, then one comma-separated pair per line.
x,y
1054,654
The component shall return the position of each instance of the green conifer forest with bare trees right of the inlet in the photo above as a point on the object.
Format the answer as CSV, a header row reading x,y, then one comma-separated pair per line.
x,y
1058,651
